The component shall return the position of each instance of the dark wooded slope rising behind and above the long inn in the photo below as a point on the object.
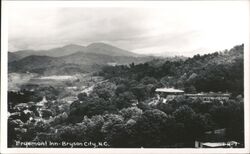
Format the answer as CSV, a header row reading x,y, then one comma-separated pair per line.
x,y
219,71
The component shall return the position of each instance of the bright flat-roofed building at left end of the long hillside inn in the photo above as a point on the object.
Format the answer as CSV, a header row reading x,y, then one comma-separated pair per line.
x,y
168,93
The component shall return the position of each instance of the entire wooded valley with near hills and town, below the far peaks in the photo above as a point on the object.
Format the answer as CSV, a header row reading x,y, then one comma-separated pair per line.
x,y
94,97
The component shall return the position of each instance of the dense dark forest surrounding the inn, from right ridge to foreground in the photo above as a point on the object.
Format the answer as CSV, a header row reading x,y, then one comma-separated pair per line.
x,y
118,110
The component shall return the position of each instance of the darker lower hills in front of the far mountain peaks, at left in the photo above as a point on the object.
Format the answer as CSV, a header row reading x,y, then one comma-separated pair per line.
x,y
77,62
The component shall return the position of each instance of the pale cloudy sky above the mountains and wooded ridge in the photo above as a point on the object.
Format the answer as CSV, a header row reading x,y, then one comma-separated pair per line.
x,y
177,27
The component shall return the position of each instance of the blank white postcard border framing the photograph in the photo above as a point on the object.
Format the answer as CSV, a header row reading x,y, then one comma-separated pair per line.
x,y
4,81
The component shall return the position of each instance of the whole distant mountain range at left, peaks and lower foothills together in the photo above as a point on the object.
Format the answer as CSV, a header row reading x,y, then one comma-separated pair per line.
x,y
71,59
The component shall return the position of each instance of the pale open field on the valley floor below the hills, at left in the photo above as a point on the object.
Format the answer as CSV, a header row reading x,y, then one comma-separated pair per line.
x,y
68,85
